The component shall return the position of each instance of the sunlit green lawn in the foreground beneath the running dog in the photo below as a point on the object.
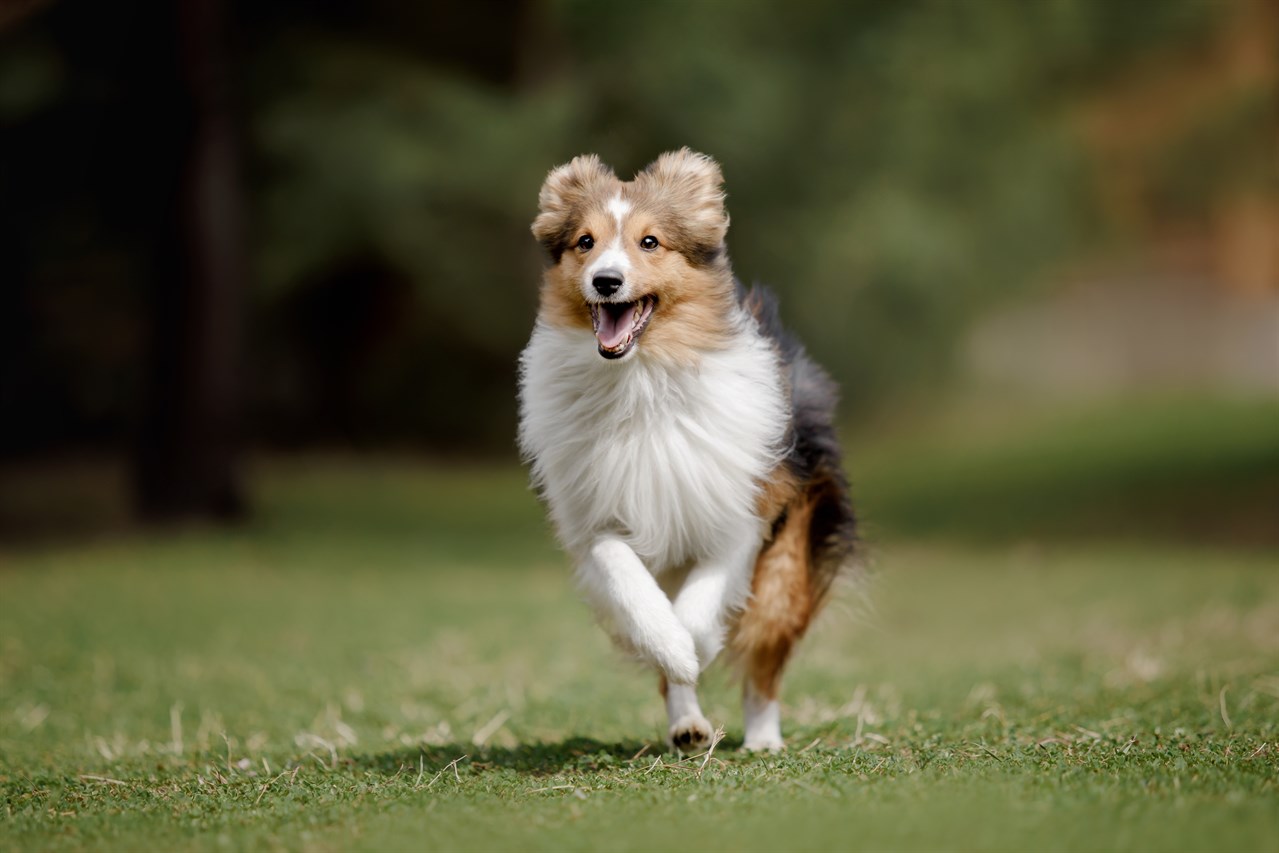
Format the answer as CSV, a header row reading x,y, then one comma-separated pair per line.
x,y
213,691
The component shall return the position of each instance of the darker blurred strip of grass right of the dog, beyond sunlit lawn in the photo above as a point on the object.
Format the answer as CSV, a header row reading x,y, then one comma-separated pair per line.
x,y
1182,470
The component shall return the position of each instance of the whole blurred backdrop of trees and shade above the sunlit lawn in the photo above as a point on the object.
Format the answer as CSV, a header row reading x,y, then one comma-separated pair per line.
x,y
1038,244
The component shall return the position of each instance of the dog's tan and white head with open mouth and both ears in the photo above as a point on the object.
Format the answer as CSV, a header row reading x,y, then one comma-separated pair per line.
x,y
640,264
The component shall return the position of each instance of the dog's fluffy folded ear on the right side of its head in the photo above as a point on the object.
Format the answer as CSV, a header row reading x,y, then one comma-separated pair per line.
x,y
695,186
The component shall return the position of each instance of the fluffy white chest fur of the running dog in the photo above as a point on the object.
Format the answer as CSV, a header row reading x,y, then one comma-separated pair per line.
x,y
667,457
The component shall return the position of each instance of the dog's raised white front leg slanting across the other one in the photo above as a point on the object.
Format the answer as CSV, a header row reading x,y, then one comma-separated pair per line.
x,y
624,591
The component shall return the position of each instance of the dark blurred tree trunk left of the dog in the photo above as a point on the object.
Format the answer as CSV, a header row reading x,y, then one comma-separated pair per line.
x,y
187,456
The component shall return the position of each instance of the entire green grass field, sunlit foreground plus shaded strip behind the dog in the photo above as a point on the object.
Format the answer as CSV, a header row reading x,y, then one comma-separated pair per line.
x,y
1084,657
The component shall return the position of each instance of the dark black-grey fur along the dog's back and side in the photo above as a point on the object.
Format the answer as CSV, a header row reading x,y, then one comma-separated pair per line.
x,y
815,453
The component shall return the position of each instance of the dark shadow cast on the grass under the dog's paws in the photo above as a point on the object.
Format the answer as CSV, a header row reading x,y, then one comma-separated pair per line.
x,y
531,759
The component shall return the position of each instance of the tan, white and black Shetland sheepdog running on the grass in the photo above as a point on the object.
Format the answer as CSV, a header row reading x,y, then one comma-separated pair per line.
x,y
680,438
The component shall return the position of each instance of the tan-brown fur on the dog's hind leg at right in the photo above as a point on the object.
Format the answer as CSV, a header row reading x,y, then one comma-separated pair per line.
x,y
782,602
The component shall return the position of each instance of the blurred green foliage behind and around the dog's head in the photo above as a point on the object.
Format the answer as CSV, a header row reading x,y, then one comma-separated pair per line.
x,y
892,168
